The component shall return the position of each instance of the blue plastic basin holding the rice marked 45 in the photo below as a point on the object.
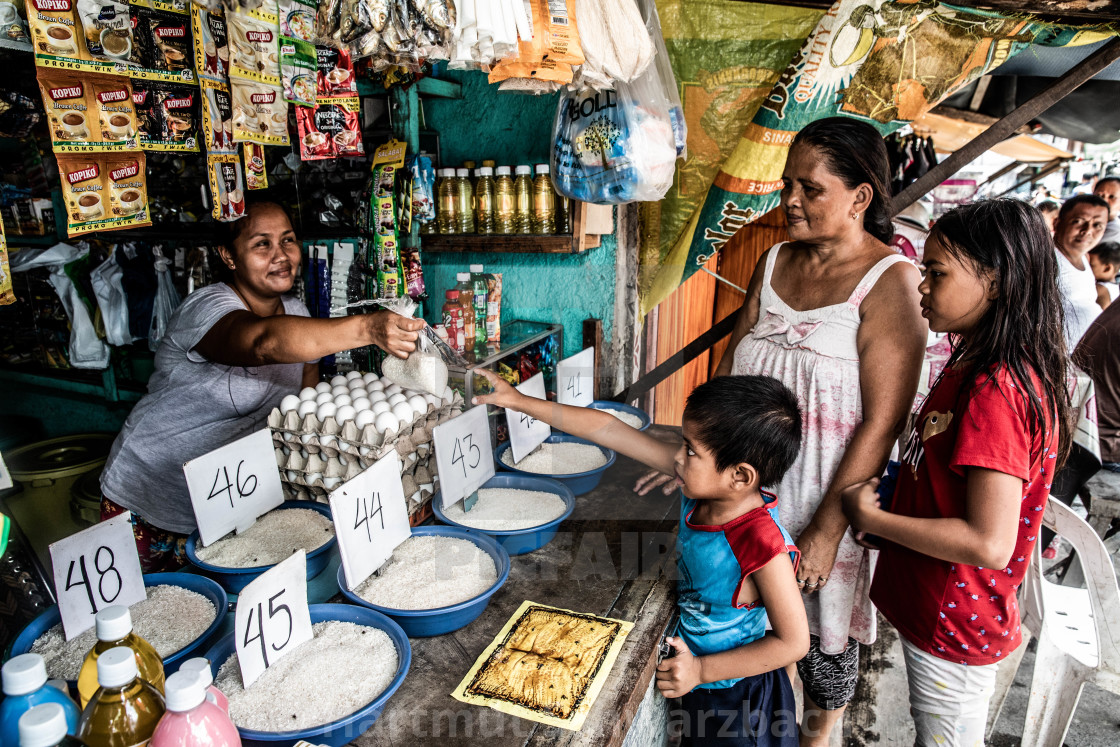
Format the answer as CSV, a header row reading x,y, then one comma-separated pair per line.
x,y
348,729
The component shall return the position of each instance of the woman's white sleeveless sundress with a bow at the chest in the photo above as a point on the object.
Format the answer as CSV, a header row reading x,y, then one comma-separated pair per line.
x,y
816,356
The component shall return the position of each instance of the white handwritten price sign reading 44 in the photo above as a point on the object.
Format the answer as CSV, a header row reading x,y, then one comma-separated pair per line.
x,y
371,519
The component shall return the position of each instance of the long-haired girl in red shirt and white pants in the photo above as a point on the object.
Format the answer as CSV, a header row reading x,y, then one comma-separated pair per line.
x,y
978,465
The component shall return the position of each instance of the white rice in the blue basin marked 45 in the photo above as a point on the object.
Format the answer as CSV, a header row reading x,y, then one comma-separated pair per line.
x,y
343,669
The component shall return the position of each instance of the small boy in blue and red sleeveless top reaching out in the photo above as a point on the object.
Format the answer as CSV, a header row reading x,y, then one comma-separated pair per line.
x,y
736,562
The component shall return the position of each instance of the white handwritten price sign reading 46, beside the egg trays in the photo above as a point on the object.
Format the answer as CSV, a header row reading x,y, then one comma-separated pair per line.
x,y
234,485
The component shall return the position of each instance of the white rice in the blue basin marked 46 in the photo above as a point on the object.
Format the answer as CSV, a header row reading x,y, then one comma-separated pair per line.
x,y
272,539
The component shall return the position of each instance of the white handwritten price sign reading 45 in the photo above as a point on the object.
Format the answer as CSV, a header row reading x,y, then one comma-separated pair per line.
x,y
273,618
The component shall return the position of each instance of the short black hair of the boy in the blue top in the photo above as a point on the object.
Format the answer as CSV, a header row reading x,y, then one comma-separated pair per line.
x,y
752,419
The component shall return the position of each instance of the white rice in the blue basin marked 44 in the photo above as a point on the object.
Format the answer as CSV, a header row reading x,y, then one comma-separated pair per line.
x,y
427,573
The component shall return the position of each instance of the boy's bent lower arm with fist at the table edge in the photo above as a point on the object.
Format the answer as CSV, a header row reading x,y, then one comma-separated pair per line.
x,y
787,643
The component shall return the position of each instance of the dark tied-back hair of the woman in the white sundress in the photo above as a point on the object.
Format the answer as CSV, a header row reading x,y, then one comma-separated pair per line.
x,y
854,153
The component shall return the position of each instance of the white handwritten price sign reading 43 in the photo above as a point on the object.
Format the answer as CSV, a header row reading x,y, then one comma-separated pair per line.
x,y
464,455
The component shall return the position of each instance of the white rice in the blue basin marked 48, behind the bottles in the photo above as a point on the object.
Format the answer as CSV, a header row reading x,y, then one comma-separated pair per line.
x,y
171,619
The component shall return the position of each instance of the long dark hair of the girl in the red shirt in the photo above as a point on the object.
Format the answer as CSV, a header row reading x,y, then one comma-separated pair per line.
x,y
1023,330
